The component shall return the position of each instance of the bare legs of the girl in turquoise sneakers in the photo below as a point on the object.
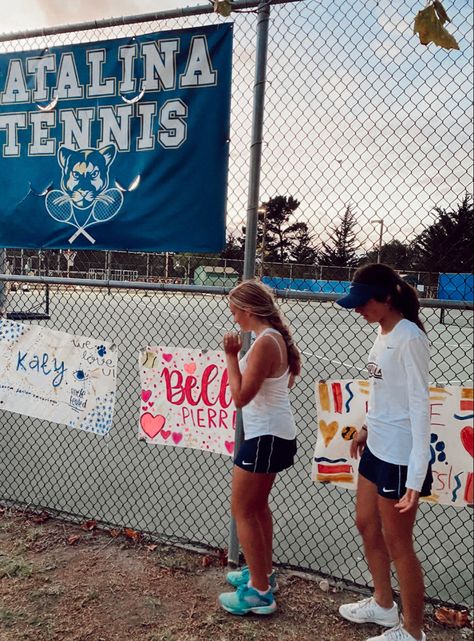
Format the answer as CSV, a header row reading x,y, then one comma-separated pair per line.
x,y
253,519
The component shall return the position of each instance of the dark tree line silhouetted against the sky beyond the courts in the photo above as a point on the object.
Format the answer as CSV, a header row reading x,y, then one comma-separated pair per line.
x,y
446,245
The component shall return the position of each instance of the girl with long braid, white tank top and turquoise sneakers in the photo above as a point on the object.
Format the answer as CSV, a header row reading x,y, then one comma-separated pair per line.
x,y
259,384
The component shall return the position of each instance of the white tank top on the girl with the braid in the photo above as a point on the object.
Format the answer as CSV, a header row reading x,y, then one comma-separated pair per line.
x,y
269,412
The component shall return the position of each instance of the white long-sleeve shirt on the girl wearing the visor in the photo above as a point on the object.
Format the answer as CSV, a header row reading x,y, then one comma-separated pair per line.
x,y
398,417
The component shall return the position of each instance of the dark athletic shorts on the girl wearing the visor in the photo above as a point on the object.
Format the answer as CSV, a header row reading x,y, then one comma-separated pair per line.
x,y
390,479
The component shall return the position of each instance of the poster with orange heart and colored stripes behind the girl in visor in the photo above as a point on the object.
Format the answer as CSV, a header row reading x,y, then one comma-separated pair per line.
x,y
341,409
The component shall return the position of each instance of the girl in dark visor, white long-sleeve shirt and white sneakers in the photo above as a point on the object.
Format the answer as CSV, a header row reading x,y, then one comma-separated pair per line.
x,y
394,468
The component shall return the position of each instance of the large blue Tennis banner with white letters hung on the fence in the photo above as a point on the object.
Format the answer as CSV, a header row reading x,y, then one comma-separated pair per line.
x,y
121,144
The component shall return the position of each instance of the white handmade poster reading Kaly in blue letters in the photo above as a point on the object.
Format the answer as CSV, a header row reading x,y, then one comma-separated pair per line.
x,y
57,377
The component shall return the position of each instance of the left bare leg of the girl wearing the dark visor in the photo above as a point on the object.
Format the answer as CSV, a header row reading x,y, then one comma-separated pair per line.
x,y
369,524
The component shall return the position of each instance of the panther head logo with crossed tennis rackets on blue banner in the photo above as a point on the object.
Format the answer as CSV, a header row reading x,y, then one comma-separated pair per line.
x,y
85,198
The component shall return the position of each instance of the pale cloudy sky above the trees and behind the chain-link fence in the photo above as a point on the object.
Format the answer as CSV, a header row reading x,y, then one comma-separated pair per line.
x,y
357,111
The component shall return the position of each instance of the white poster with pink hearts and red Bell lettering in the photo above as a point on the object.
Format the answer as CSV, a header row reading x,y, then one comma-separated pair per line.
x,y
185,399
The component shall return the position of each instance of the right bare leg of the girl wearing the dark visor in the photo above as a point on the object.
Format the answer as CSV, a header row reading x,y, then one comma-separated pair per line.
x,y
398,533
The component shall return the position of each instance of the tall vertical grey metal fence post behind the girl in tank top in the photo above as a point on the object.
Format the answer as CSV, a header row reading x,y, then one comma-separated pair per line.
x,y
263,13
